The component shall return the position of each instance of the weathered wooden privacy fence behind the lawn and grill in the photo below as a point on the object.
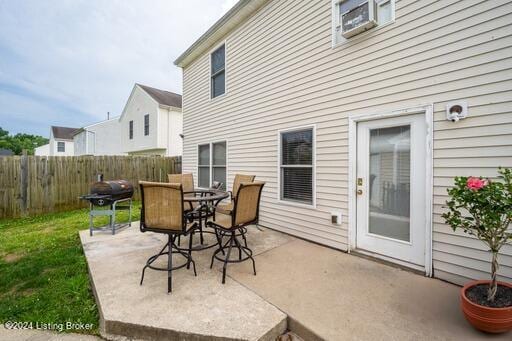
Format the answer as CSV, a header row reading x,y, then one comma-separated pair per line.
x,y
38,184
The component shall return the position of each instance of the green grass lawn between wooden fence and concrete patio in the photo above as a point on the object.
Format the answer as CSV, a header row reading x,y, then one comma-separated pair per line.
x,y
43,271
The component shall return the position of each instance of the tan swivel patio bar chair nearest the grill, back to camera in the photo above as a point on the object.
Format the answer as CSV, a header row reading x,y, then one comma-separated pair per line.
x,y
162,212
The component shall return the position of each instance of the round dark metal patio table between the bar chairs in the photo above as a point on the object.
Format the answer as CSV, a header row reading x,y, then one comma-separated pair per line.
x,y
207,199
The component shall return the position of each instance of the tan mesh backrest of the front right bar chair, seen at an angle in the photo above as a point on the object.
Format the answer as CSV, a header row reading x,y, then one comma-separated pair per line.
x,y
247,202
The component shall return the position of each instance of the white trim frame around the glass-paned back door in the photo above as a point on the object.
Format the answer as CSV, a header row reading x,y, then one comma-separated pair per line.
x,y
427,110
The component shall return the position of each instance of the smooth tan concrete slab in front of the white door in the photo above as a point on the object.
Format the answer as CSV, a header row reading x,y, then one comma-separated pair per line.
x,y
332,295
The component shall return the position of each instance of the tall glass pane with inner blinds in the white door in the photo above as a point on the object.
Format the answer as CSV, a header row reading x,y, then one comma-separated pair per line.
x,y
389,182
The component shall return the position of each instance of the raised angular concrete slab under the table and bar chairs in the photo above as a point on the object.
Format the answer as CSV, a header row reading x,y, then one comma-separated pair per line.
x,y
199,308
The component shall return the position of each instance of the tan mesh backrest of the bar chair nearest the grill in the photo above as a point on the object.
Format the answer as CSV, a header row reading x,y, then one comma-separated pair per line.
x,y
162,206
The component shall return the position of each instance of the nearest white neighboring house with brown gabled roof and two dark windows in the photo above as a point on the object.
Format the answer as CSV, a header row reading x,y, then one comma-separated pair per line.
x,y
151,122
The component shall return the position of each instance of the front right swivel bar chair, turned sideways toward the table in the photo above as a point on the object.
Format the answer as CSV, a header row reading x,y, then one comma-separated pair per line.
x,y
245,212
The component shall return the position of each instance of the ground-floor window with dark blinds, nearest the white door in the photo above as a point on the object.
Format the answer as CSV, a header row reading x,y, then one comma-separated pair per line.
x,y
297,166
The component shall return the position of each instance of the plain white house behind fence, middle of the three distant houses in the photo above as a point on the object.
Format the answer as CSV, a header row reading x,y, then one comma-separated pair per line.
x,y
102,138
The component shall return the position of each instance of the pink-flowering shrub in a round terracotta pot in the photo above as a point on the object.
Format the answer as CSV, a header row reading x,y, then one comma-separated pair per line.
x,y
483,208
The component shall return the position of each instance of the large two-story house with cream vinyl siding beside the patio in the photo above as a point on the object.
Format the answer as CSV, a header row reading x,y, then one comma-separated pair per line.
x,y
356,127
